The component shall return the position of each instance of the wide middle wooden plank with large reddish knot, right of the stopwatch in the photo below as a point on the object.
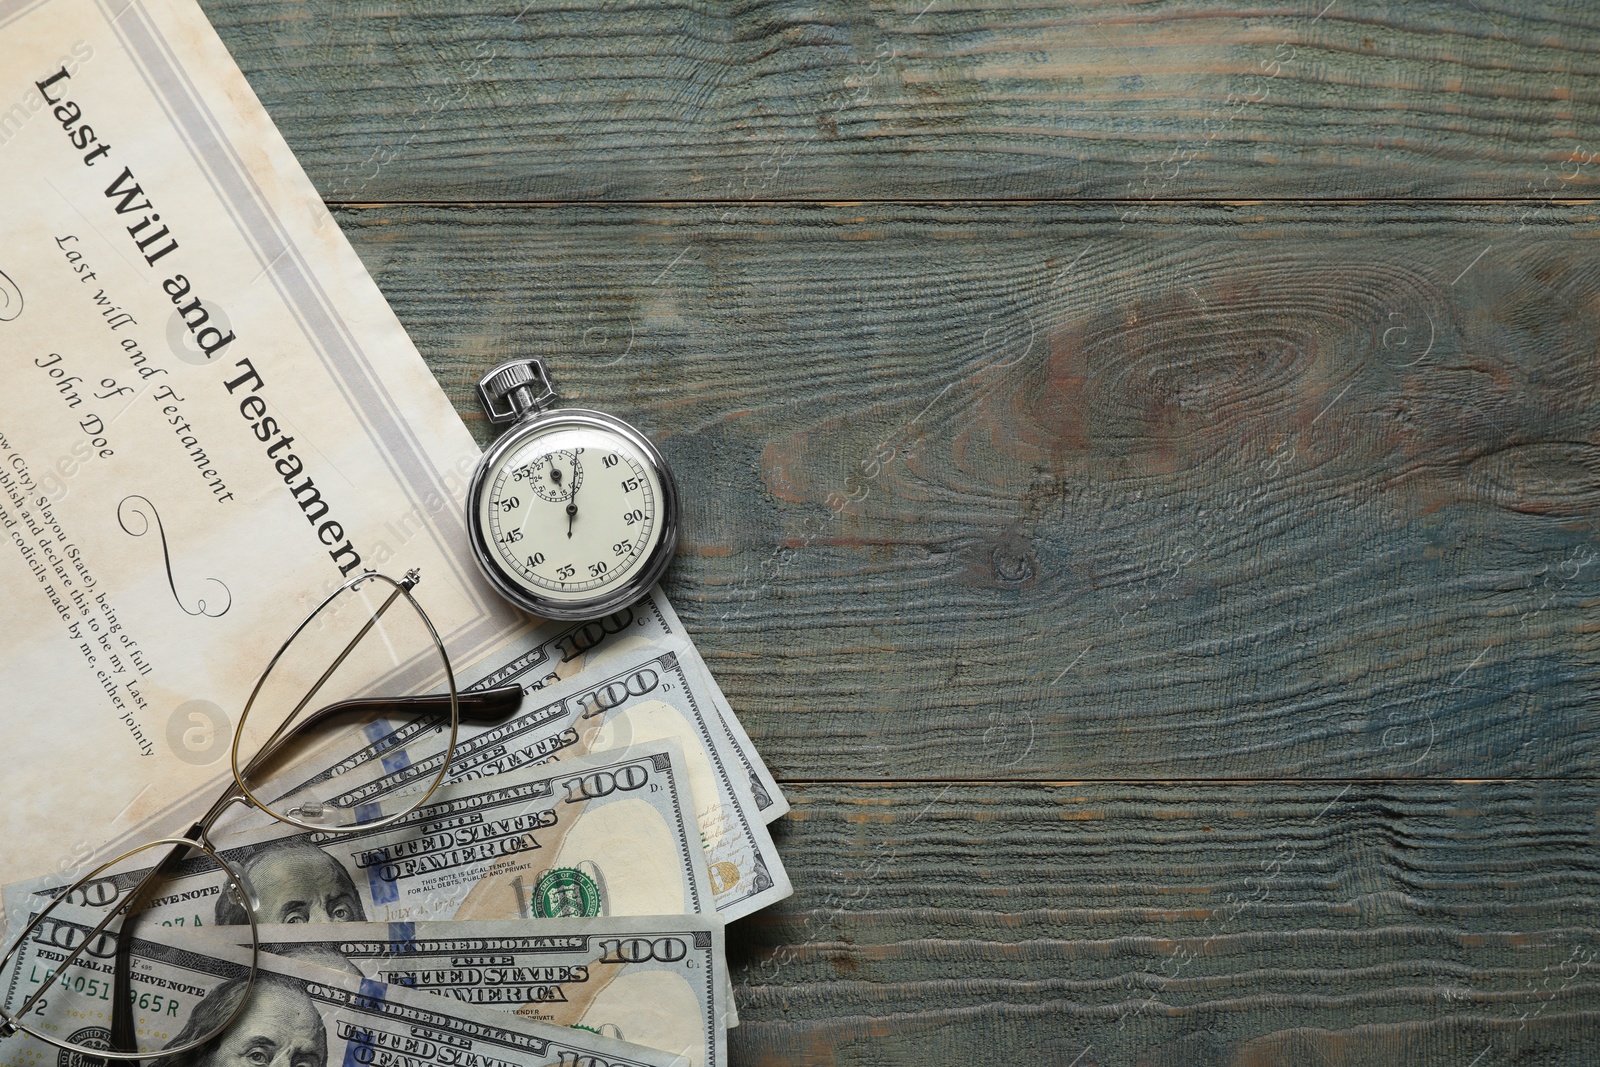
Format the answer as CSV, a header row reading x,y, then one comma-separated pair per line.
x,y
972,492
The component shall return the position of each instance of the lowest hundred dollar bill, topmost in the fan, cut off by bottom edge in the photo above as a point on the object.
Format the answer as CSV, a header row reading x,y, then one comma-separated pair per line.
x,y
300,1013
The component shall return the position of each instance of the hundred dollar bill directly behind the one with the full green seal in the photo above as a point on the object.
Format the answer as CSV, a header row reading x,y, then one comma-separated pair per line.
x,y
622,701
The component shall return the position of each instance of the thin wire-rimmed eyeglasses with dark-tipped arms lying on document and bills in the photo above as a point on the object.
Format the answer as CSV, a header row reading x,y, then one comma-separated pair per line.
x,y
369,639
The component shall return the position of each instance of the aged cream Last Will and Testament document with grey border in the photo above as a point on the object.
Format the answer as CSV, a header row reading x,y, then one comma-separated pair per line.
x,y
209,420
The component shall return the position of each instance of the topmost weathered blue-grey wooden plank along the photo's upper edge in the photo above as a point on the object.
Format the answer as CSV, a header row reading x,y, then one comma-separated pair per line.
x,y
473,100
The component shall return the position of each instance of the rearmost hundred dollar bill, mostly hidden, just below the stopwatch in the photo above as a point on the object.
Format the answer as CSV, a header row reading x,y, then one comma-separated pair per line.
x,y
559,652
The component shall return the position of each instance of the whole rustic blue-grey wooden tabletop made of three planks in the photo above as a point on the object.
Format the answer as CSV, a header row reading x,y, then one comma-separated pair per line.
x,y
1142,460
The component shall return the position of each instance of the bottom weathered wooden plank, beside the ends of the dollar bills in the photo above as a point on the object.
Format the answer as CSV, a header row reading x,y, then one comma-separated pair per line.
x,y
1122,924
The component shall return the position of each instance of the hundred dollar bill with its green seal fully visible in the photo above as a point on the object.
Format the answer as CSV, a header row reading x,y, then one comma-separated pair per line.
x,y
602,836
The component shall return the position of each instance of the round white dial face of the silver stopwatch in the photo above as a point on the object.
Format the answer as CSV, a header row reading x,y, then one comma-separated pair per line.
x,y
572,511
